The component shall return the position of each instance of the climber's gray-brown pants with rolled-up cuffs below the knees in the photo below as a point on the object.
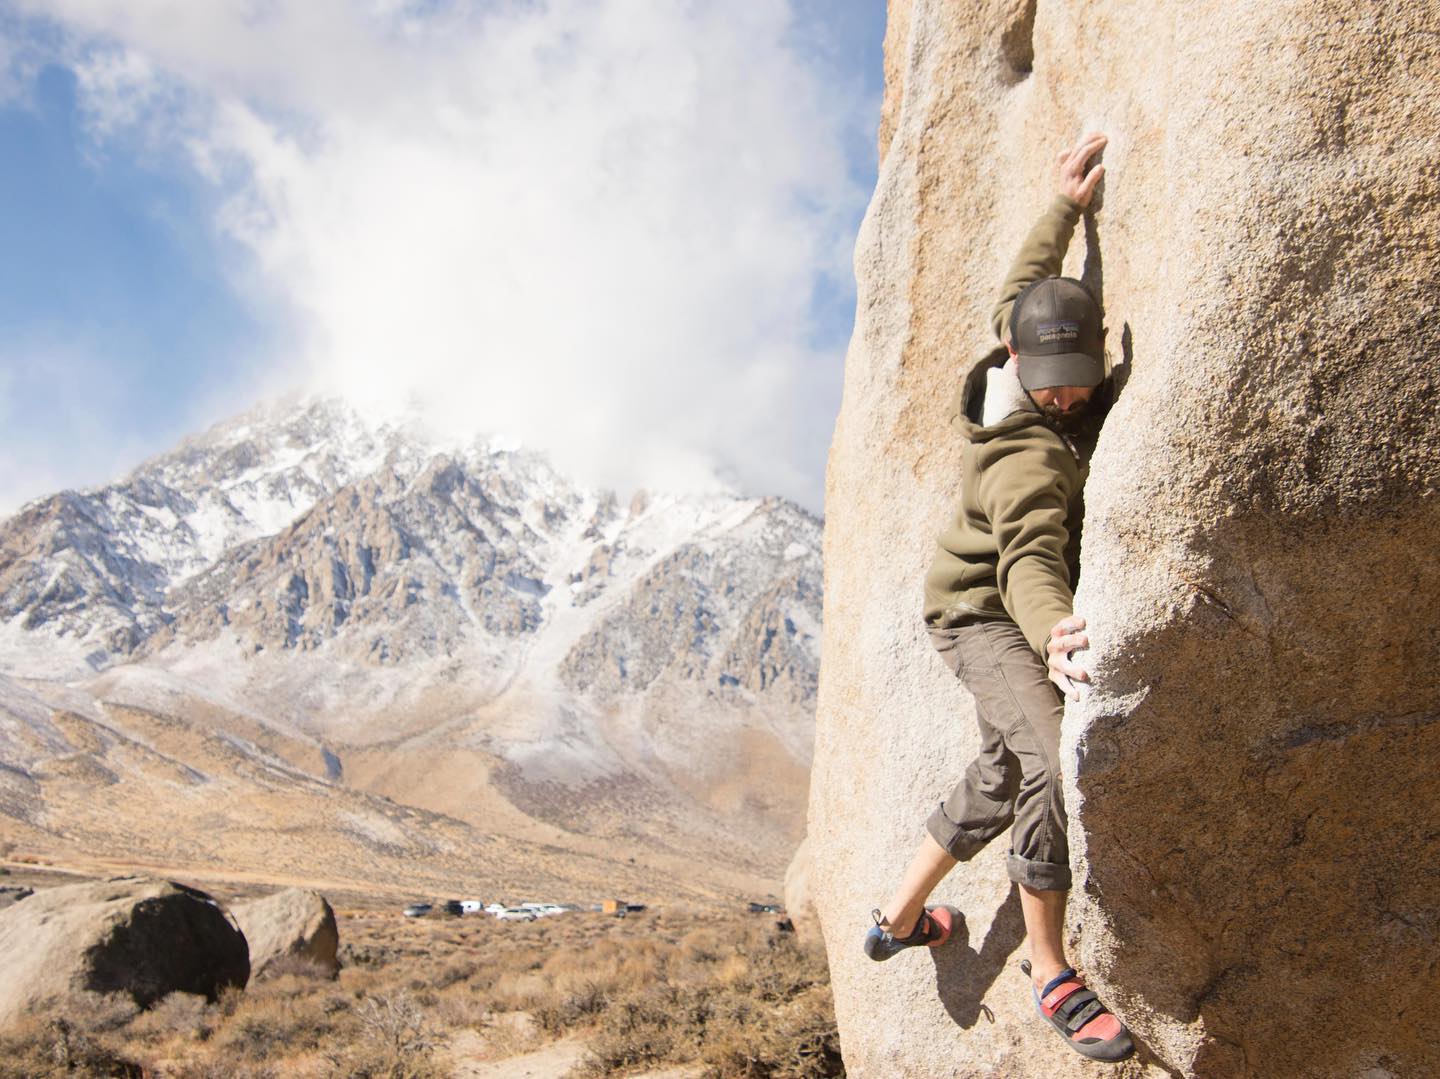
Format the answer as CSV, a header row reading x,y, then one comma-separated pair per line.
x,y
1014,782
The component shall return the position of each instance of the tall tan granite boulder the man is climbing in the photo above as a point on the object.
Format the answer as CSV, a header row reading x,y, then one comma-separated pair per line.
x,y
1252,780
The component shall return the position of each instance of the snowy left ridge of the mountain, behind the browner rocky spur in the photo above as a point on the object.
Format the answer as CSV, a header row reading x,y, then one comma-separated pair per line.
x,y
93,568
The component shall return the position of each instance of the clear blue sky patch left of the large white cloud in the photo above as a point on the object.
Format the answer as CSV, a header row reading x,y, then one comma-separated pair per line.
x,y
120,328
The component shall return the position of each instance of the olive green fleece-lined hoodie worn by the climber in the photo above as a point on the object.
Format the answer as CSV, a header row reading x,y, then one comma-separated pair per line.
x,y
1013,550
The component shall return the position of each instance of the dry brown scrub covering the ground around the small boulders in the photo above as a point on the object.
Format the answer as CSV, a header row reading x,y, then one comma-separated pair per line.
x,y
726,995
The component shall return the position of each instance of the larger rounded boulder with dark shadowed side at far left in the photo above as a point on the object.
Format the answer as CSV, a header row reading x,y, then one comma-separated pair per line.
x,y
145,939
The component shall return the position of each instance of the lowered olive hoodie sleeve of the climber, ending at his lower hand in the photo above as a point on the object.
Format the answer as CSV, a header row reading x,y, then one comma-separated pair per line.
x,y
1025,492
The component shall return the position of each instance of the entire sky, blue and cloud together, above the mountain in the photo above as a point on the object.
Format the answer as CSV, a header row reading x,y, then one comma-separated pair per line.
x,y
171,249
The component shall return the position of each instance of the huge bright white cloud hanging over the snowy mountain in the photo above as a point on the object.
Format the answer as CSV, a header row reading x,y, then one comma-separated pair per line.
x,y
594,227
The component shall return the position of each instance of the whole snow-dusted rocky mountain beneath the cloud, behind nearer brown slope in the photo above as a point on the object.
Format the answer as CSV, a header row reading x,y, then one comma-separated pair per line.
x,y
443,617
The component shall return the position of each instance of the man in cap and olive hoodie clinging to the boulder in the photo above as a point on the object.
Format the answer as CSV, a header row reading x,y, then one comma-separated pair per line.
x,y
999,606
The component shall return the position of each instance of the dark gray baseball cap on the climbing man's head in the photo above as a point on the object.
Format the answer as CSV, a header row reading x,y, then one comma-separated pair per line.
x,y
1055,329
